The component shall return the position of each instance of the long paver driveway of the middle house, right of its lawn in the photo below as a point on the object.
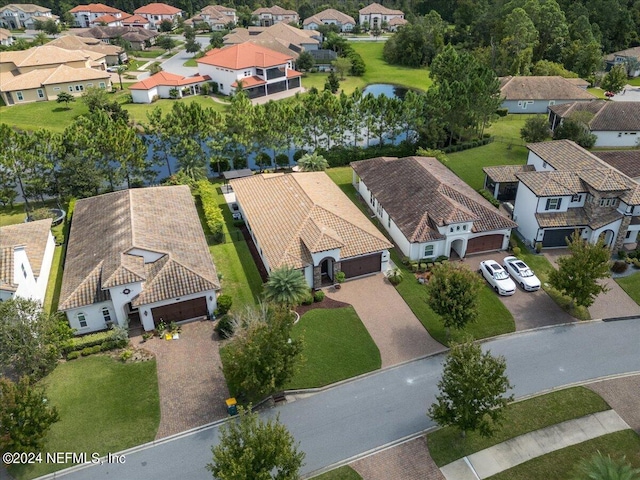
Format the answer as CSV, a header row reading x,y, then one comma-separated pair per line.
x,y
394,328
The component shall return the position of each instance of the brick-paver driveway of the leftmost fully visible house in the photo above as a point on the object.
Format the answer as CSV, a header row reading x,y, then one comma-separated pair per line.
x,y
190,380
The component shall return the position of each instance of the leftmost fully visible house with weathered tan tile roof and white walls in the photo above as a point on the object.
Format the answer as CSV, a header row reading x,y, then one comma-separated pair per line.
x,y
137,255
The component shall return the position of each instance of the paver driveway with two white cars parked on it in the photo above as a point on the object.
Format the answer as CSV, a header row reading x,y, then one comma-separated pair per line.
x,y
529,309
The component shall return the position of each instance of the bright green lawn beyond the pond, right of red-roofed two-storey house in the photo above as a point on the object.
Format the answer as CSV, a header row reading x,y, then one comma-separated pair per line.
x,y
378,71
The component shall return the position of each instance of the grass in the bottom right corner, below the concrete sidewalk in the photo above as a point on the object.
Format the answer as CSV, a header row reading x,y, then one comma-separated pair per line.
x,y
565,463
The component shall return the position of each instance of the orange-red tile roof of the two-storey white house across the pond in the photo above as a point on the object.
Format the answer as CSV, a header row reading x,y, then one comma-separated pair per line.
x,y
244,55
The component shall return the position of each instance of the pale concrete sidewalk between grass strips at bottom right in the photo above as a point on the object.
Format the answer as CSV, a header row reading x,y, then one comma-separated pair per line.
x,y
503,456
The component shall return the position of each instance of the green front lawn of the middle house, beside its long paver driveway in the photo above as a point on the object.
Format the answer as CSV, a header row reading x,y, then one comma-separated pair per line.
x,y
336,346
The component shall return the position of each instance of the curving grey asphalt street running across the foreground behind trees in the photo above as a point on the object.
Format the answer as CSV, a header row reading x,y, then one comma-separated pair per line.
x,y
375,410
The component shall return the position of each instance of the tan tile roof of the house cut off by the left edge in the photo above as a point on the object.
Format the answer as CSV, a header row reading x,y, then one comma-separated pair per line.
x,y
33,235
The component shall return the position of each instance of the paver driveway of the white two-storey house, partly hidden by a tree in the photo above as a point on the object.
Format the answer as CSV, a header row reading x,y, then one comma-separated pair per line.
x,y
612,304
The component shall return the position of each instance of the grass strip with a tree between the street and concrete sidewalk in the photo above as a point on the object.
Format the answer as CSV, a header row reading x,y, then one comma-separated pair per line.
x,y
446,444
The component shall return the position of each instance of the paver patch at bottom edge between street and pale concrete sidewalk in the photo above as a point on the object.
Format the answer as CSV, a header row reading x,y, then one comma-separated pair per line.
x,y
408,461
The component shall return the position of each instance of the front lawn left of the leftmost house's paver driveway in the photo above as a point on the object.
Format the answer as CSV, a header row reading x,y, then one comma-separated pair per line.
x,y
105,406
